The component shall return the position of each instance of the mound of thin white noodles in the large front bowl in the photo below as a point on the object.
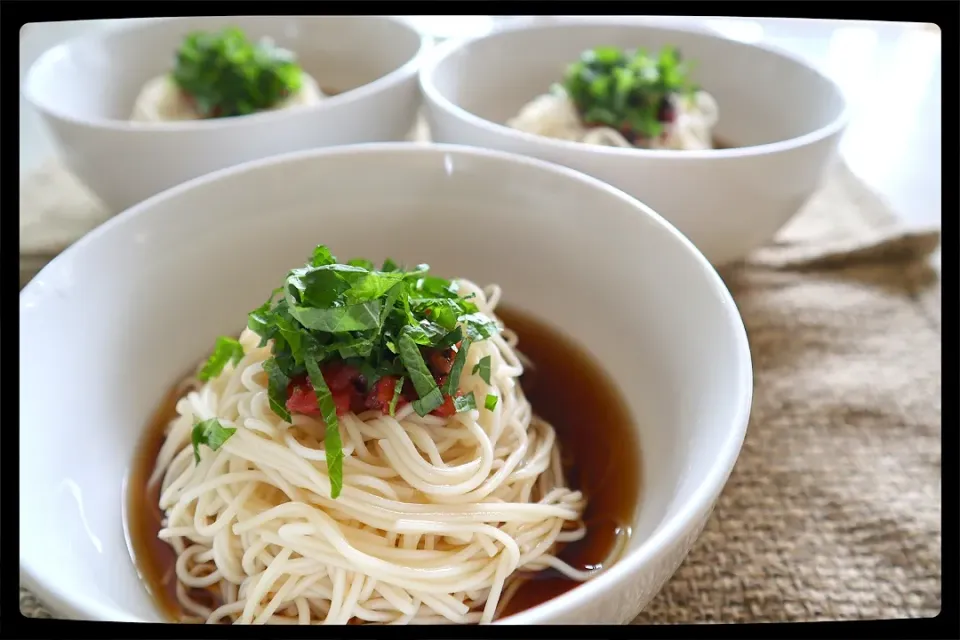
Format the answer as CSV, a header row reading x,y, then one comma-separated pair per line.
x,y
439,520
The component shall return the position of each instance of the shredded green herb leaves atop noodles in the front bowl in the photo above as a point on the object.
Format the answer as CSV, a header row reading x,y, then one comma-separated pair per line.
x,y
380,322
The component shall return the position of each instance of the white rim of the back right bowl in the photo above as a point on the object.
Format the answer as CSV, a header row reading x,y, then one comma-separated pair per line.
x,y
446,49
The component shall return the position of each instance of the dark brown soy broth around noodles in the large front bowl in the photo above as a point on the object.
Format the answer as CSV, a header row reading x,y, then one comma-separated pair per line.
x,y
565,387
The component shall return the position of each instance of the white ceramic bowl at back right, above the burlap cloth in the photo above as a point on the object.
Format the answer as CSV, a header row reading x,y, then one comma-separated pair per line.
x,y
786,117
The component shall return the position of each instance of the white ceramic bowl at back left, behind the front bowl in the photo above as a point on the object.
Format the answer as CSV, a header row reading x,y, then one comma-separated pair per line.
x,y
85,90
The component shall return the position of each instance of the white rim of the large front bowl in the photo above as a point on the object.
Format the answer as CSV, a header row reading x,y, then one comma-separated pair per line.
x,y
669,531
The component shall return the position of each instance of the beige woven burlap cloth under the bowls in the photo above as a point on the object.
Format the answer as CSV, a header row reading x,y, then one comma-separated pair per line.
x,y
833,509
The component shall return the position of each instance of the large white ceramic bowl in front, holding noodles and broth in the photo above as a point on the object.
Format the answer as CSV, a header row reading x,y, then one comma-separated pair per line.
x,y
112,322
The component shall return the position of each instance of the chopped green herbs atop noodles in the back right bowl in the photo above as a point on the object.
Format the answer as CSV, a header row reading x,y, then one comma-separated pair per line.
x,y
627,90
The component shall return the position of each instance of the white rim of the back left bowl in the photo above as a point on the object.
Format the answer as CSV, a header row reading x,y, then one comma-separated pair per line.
x,y
398,75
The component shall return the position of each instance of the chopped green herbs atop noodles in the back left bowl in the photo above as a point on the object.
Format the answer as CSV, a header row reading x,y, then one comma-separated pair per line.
x,y
225,74
